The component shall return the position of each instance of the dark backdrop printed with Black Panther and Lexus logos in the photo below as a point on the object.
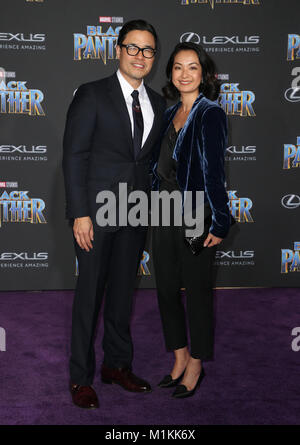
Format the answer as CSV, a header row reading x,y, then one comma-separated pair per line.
x,y
49,47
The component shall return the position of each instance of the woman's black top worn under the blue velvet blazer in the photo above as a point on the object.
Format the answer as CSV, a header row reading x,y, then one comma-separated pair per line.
x,y
167,166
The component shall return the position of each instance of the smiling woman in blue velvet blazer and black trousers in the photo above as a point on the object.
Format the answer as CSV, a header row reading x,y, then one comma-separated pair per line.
x,y
191,158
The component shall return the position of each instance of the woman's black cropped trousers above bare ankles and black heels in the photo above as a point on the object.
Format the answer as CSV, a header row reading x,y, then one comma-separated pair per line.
x,y
176,267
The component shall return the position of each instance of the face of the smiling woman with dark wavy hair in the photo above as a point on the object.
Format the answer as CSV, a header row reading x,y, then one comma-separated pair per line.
x,y
187,71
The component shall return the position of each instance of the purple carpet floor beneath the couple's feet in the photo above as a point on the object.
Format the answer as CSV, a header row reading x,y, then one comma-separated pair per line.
x,y
254,378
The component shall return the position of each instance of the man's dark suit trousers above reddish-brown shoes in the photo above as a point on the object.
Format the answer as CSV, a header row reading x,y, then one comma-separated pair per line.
x,y
113,262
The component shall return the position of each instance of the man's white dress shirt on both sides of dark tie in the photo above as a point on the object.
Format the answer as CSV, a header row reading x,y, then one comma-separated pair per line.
x,y
147,111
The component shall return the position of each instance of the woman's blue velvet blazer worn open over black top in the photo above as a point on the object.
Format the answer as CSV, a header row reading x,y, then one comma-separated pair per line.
x,y
200,152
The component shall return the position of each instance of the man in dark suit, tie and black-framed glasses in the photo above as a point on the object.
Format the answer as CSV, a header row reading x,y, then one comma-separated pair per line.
x,y
111,130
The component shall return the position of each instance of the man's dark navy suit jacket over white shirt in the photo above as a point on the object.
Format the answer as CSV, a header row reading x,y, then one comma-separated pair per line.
x,y
98,145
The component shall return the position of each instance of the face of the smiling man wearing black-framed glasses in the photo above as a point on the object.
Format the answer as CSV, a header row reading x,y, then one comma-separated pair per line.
x,y
135,68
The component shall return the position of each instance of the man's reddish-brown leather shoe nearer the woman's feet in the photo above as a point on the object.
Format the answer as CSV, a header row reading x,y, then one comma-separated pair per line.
x,y
125,378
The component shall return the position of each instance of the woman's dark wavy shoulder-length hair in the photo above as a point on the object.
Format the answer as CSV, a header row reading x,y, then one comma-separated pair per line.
x,y
210,86
